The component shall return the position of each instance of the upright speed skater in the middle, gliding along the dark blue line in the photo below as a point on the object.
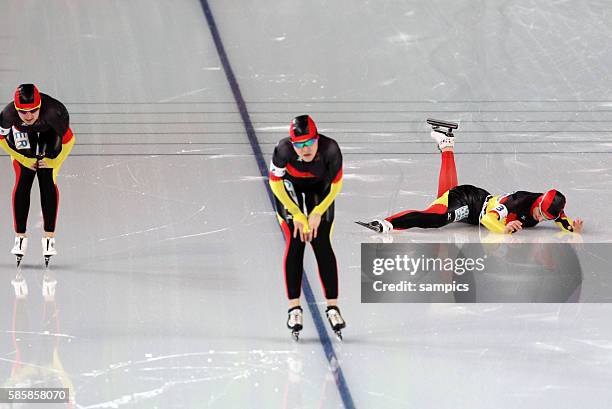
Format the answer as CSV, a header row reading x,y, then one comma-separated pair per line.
x,y
306,176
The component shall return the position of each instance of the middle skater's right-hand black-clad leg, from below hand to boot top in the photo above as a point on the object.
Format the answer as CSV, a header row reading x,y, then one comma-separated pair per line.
x,y
326,261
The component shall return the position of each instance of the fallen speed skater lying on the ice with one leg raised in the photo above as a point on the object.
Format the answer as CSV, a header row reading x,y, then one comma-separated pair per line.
x,y
503,213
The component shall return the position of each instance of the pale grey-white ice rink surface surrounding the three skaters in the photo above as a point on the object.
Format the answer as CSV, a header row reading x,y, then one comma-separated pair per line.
x,y
169,291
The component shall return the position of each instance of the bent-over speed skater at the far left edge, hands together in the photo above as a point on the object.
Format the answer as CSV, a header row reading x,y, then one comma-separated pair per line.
x,y
35,132
